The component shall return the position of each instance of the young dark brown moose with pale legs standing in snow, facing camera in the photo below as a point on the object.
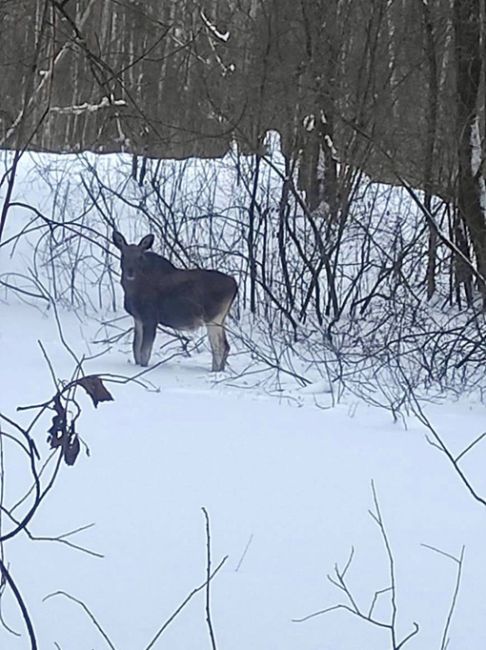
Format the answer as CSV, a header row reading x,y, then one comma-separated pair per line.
x,y
158,292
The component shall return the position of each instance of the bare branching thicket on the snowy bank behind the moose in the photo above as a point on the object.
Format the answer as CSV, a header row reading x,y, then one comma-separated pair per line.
x,y
342,299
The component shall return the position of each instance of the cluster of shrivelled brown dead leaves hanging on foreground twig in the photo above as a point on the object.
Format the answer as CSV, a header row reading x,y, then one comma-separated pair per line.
x,y
62,432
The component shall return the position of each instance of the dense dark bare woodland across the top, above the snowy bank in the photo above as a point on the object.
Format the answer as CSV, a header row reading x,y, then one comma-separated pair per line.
x,y
391,88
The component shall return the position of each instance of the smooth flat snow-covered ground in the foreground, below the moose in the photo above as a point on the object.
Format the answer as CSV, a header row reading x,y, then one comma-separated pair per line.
x,y
287,487
